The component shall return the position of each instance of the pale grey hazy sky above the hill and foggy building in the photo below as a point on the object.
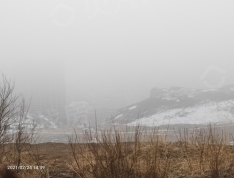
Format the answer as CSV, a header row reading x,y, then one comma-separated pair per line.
x,y
119,47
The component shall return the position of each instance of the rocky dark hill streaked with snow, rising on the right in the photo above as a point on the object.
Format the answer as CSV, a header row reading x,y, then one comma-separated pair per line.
x,y
177,105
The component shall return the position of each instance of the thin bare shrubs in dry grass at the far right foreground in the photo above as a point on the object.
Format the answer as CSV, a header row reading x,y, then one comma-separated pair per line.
x,y
205,151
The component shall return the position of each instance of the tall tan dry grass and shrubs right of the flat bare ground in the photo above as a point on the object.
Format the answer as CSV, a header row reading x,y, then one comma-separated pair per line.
x,y
197,153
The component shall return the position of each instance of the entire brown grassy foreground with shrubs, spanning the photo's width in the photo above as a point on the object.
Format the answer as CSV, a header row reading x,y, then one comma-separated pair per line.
x,y
136,154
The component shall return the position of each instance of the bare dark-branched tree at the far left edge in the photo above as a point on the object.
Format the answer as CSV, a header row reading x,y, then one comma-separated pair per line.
x,y
13,111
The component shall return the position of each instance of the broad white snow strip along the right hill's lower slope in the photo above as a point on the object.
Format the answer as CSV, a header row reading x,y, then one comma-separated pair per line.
x,y
202,114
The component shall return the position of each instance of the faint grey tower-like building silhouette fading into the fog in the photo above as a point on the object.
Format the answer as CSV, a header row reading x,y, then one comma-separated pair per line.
x,y
48,93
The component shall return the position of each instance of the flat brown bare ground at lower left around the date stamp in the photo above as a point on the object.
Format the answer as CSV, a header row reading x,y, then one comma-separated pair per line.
x,y
52,157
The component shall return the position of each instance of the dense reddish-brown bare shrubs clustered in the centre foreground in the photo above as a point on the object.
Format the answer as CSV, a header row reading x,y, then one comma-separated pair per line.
x,y
118,154
